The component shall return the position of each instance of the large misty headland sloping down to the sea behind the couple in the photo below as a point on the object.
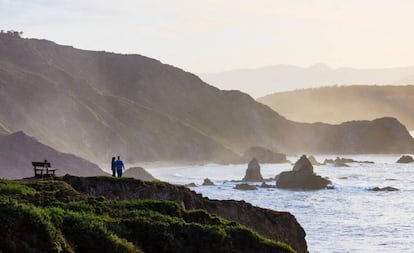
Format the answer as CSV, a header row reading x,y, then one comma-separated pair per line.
x,y
98,105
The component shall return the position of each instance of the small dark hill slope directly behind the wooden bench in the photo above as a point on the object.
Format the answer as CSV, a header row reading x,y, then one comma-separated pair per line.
x,y
18,151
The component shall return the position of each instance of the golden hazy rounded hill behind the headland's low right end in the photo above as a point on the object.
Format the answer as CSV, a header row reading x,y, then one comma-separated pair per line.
x,y
345,103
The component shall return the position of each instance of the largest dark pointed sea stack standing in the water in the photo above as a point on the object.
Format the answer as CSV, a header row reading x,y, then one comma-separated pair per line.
x,y
301,177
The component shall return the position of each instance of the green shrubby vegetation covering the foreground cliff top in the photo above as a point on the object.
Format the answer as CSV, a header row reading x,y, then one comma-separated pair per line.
x,y
50,216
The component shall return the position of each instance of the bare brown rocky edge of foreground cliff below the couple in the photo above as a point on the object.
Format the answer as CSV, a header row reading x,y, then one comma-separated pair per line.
x,y
279,226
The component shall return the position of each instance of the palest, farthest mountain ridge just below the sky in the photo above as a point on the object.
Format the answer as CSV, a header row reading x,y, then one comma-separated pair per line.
x,y
267,80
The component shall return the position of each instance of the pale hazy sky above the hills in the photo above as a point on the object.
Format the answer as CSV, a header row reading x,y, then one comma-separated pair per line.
x,y
209,36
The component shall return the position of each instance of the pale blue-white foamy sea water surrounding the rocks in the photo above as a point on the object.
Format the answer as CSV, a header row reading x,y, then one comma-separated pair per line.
x,y
349,218
